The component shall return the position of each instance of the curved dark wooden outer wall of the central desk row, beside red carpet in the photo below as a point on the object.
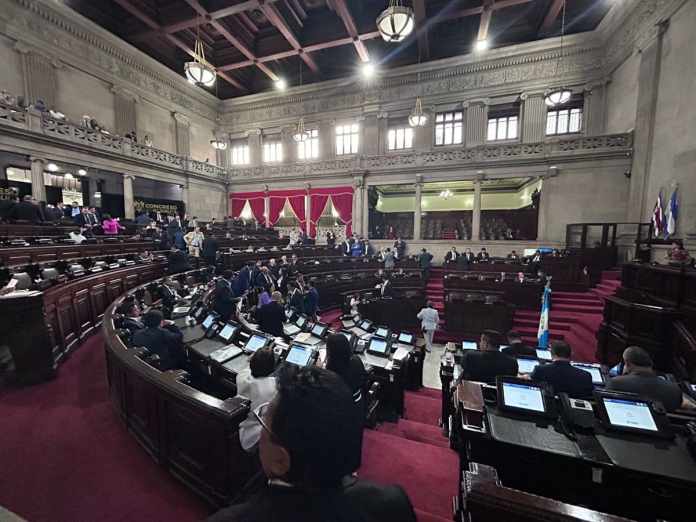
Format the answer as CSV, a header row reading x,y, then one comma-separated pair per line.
x,y
192,434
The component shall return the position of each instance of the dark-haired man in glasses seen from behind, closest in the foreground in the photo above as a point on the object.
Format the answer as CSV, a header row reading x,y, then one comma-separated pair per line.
x,y
310,431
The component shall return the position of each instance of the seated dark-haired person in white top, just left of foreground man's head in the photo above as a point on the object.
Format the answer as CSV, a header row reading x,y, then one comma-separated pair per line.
x,y
258,385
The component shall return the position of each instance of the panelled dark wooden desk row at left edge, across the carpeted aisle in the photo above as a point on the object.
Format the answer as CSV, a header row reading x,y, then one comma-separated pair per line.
x,y
42,328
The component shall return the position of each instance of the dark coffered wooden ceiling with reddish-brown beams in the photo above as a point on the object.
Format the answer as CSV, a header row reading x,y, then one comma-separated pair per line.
x,y
252,43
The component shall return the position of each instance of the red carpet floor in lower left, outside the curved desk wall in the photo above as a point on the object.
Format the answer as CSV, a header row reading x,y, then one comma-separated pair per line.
x,y
66,457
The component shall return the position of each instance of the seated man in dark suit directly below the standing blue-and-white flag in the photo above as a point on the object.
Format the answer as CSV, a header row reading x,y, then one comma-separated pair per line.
x,y
563,377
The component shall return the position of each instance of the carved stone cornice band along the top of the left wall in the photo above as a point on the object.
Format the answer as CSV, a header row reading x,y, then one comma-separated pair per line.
x,y
62,34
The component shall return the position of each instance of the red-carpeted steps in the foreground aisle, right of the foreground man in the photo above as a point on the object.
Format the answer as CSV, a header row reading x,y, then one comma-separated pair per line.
x,y
414,454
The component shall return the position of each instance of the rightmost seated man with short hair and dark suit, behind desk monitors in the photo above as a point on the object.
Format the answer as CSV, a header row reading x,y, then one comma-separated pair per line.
x,y
639,377
